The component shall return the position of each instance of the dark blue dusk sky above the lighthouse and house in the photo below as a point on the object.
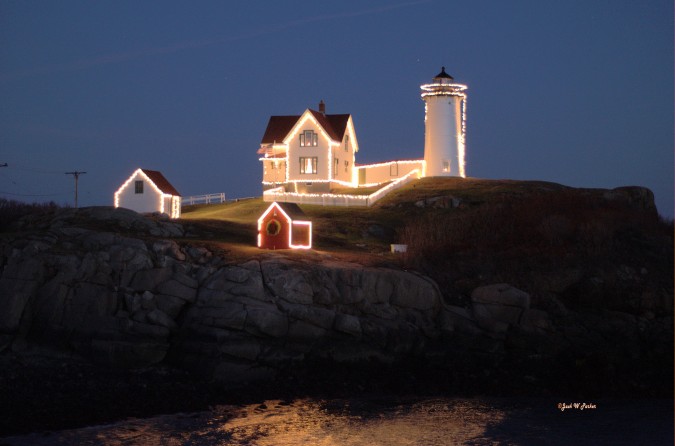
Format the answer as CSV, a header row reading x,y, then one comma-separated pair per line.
x,y
575,92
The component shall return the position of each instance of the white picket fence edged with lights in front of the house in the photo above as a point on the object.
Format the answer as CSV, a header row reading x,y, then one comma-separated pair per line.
x,y
279,194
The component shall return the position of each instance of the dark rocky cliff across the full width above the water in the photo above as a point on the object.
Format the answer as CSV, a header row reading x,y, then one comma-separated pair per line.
x,y
121,289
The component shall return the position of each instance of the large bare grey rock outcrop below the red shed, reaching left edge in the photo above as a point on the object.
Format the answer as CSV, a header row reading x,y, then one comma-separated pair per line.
x,y
132,301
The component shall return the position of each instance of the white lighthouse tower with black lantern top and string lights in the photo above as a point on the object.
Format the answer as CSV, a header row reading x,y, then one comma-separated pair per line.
x,y
445,126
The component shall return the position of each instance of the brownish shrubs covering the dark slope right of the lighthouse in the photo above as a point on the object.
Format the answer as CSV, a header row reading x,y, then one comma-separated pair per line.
x,y
555,224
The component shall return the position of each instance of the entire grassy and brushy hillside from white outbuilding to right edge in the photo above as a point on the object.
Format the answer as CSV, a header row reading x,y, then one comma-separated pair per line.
x,y
468,231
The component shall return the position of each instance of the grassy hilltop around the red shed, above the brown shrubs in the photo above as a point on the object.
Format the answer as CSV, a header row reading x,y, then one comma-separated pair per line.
x,y
456,204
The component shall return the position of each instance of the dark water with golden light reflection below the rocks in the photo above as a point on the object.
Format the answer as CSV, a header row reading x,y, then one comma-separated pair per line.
x,y
390,421
